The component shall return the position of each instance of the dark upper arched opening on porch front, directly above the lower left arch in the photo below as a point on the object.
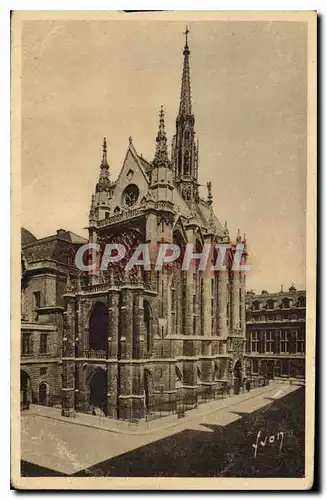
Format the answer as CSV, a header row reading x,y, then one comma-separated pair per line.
x,y
98,328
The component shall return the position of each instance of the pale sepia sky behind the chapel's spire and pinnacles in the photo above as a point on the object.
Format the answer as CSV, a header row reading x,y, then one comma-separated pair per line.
x,y
82,81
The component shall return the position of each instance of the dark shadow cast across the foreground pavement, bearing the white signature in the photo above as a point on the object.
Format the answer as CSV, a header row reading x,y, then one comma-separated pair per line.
x,y
226,452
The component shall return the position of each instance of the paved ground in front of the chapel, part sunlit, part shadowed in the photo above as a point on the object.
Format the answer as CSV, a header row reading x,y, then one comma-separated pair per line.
x,y
219,443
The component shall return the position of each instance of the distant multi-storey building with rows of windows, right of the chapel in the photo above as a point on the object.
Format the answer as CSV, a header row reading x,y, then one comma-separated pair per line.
x,y
275,333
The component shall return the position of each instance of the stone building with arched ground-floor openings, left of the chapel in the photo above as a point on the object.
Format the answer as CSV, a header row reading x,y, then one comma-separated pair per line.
x,y
45,265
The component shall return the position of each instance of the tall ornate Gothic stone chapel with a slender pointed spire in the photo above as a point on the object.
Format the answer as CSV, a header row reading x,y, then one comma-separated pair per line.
x,y
142,341
